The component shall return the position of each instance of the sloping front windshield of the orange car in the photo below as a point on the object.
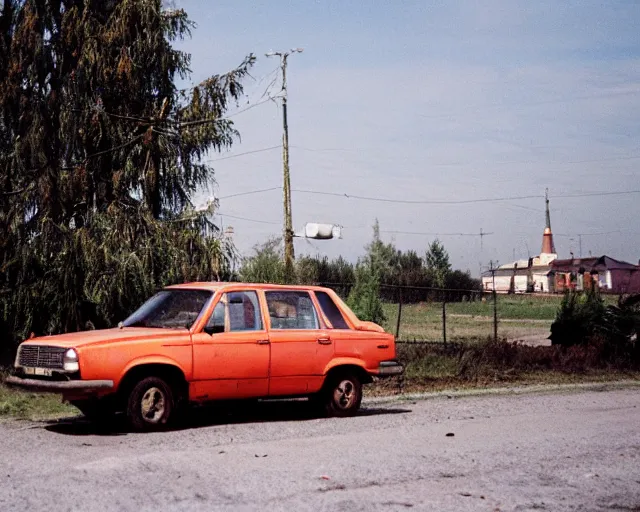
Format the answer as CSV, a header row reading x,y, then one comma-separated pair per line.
x,y
170,309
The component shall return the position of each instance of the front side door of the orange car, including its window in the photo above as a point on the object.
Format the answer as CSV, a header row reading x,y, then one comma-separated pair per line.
x,y
231,355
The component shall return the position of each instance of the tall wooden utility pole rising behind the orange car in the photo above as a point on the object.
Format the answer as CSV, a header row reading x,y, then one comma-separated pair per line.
x,y
288,221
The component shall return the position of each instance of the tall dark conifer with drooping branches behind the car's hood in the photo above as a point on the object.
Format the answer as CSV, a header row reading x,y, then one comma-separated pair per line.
x,y
100,153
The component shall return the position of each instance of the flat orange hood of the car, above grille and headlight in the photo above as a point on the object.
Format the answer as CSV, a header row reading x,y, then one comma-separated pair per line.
x,y
83,338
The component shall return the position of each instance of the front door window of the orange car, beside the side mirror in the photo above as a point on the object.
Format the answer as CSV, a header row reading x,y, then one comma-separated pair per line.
x,y
236,311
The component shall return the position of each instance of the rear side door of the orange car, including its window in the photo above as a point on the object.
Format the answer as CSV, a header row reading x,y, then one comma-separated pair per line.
x,y
300,347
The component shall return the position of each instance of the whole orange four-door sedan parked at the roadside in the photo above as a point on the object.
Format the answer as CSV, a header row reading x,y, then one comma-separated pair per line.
x,y
213,341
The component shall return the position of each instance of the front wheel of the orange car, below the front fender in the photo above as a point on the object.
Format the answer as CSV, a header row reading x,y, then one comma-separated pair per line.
x,y
150,405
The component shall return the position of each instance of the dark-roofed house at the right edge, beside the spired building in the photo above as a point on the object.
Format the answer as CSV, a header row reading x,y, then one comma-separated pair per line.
x,y
604,273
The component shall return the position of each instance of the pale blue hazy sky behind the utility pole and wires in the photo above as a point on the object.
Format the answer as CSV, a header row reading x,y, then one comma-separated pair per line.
x,y
433,101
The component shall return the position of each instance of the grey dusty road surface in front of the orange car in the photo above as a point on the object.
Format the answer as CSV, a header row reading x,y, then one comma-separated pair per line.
x,y
562,451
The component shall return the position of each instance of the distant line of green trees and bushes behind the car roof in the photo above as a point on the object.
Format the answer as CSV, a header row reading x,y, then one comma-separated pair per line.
x,y
383,273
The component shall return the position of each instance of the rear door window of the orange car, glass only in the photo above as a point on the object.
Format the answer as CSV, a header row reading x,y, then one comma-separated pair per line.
x,y
291,310
